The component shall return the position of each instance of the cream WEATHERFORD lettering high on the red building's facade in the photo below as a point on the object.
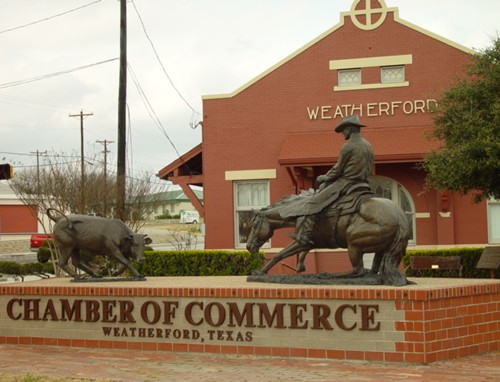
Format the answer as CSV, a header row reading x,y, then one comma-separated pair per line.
x,y
373,109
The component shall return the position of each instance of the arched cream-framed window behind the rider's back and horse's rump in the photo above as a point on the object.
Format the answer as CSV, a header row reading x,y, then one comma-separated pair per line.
x,y
390,189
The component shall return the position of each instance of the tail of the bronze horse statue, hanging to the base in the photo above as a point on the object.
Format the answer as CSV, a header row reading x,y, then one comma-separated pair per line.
x,y
389,267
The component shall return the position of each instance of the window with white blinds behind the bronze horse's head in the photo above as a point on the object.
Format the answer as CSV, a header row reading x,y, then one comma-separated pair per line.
x,y
249,195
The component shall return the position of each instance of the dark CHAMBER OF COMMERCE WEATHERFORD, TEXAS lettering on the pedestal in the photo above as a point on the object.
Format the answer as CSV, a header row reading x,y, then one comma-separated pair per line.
x,y
197,320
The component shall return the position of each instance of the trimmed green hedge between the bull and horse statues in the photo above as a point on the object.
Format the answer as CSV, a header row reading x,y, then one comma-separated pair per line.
x,y
199,263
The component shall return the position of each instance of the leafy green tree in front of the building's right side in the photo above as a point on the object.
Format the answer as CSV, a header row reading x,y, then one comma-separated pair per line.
x,y
467,122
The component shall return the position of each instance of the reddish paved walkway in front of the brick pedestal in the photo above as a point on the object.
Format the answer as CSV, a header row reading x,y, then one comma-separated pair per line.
x,y
132,366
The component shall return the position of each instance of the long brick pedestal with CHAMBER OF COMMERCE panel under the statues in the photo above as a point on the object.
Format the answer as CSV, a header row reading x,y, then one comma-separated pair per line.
x,y
436,319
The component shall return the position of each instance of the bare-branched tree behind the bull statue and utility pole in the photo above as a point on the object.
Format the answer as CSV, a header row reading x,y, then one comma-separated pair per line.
x,y
57,185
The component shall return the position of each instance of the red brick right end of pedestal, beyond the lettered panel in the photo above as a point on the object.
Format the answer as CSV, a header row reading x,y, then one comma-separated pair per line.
x,y
450,323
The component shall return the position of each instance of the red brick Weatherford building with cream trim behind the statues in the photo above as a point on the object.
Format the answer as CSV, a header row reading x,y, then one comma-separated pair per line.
x,y
274,135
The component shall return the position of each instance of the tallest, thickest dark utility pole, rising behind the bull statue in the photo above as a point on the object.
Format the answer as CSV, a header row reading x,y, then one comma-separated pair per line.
x,y
122,121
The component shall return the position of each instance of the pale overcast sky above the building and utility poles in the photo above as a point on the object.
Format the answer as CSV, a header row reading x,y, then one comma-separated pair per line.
x,y
205,46
